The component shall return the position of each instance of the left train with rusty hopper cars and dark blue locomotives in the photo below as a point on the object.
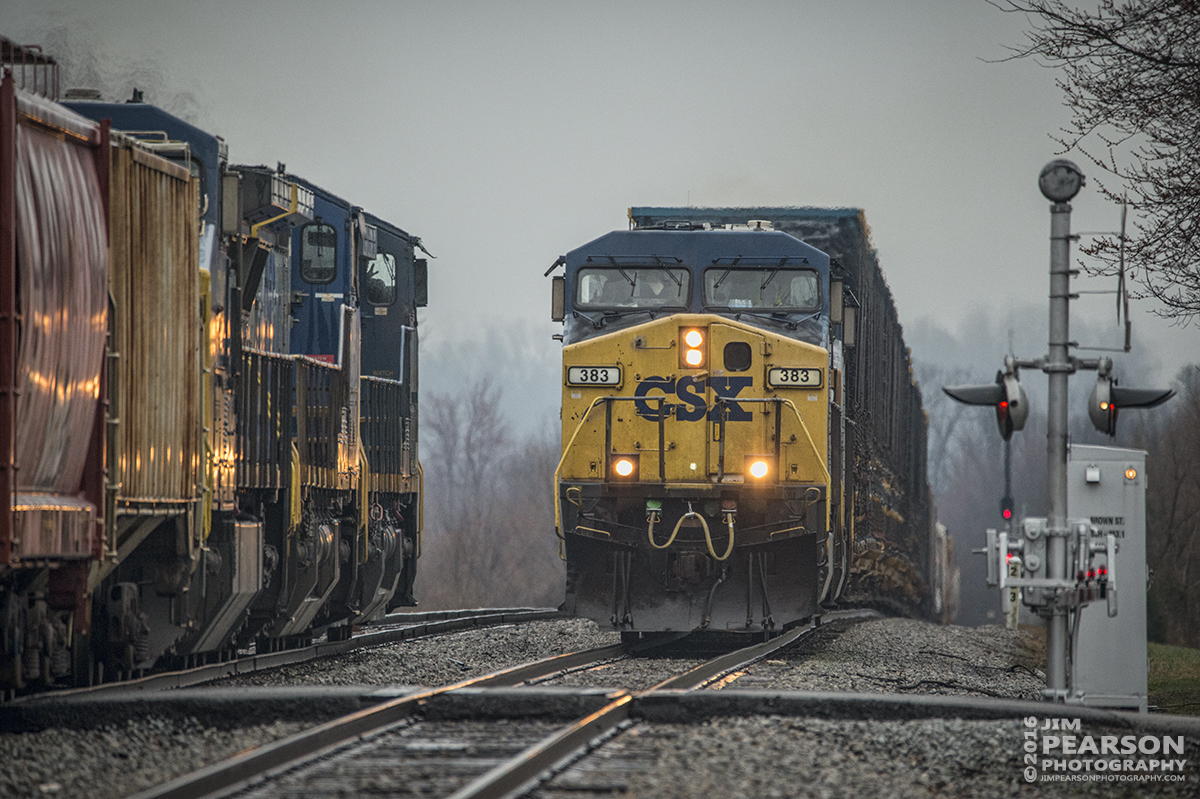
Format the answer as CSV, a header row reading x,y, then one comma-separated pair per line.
x,y
208,398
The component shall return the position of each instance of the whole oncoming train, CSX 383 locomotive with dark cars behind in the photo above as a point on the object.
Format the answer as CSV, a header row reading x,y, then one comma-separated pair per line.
x,y
743,440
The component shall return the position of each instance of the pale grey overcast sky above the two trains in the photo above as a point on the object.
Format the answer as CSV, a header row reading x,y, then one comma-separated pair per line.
x,y
507,134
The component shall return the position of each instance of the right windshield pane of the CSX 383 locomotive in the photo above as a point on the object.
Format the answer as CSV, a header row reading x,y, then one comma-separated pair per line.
x,y
767,289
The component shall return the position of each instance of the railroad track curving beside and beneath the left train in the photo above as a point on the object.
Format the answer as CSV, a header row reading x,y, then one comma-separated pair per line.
x,y
393,629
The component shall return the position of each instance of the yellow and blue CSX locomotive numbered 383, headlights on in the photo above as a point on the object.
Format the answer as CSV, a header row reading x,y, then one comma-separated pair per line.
x,y
694,490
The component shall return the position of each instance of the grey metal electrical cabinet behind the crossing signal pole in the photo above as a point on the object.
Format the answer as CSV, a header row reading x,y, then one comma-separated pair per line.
x,y
1108,666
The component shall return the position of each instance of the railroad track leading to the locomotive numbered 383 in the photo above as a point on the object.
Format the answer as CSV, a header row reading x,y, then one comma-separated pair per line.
x,y
410,738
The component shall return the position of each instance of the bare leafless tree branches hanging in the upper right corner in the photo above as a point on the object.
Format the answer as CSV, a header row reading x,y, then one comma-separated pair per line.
x,y
1131,75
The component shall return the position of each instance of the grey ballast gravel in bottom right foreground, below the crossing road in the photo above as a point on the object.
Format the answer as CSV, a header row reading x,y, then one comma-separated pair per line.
x,y
778,756
